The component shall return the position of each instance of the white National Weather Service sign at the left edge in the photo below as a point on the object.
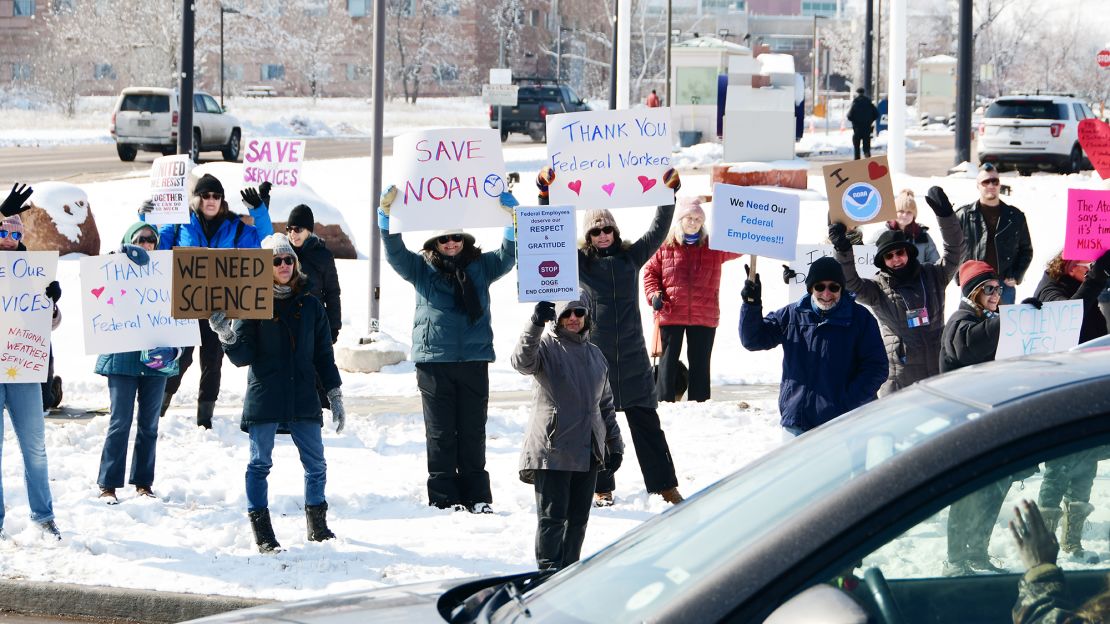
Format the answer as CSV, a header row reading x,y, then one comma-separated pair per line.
x,y
26,315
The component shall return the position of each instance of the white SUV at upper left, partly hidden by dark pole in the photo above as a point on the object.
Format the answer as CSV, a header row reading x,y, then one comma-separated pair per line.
x,y
146,118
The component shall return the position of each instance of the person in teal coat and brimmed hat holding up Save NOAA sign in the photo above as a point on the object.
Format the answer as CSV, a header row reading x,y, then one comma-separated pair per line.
x,y
452,348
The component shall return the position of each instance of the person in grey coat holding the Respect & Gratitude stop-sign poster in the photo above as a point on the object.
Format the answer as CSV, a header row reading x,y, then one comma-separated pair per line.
x,y
573,430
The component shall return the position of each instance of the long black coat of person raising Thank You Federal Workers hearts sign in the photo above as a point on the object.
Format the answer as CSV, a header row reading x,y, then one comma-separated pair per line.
x,y
612,283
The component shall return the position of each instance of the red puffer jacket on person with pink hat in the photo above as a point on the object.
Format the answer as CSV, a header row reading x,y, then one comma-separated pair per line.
x,y
690,278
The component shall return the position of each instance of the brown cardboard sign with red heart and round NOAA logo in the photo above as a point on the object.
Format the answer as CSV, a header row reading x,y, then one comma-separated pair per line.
x,y
860,192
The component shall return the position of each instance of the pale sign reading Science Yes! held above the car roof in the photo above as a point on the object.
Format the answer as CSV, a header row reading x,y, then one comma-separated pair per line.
x,y
1026,330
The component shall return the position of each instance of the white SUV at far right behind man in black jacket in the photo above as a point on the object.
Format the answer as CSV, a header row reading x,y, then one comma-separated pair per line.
x,y
1028,133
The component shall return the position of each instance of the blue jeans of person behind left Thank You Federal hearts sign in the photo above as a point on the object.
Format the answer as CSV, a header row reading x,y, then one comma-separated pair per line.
x,y
124,390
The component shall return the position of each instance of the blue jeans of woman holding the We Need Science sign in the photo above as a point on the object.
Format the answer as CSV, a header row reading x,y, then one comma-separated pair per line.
x,y
310,445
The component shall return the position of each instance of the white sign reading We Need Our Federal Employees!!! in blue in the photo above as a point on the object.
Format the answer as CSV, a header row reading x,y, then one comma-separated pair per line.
x,y
748,220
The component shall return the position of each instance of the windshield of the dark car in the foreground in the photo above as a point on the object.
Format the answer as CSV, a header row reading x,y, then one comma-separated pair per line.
x,y
664,558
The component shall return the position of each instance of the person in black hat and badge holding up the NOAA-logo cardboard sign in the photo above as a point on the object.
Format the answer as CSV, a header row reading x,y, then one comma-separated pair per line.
x,y
907,296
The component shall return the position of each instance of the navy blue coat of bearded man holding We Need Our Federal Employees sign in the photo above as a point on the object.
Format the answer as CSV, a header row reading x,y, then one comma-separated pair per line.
x,y
832,364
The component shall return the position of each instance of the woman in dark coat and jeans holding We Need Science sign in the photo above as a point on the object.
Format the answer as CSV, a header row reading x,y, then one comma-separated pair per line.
x,y
286,354
